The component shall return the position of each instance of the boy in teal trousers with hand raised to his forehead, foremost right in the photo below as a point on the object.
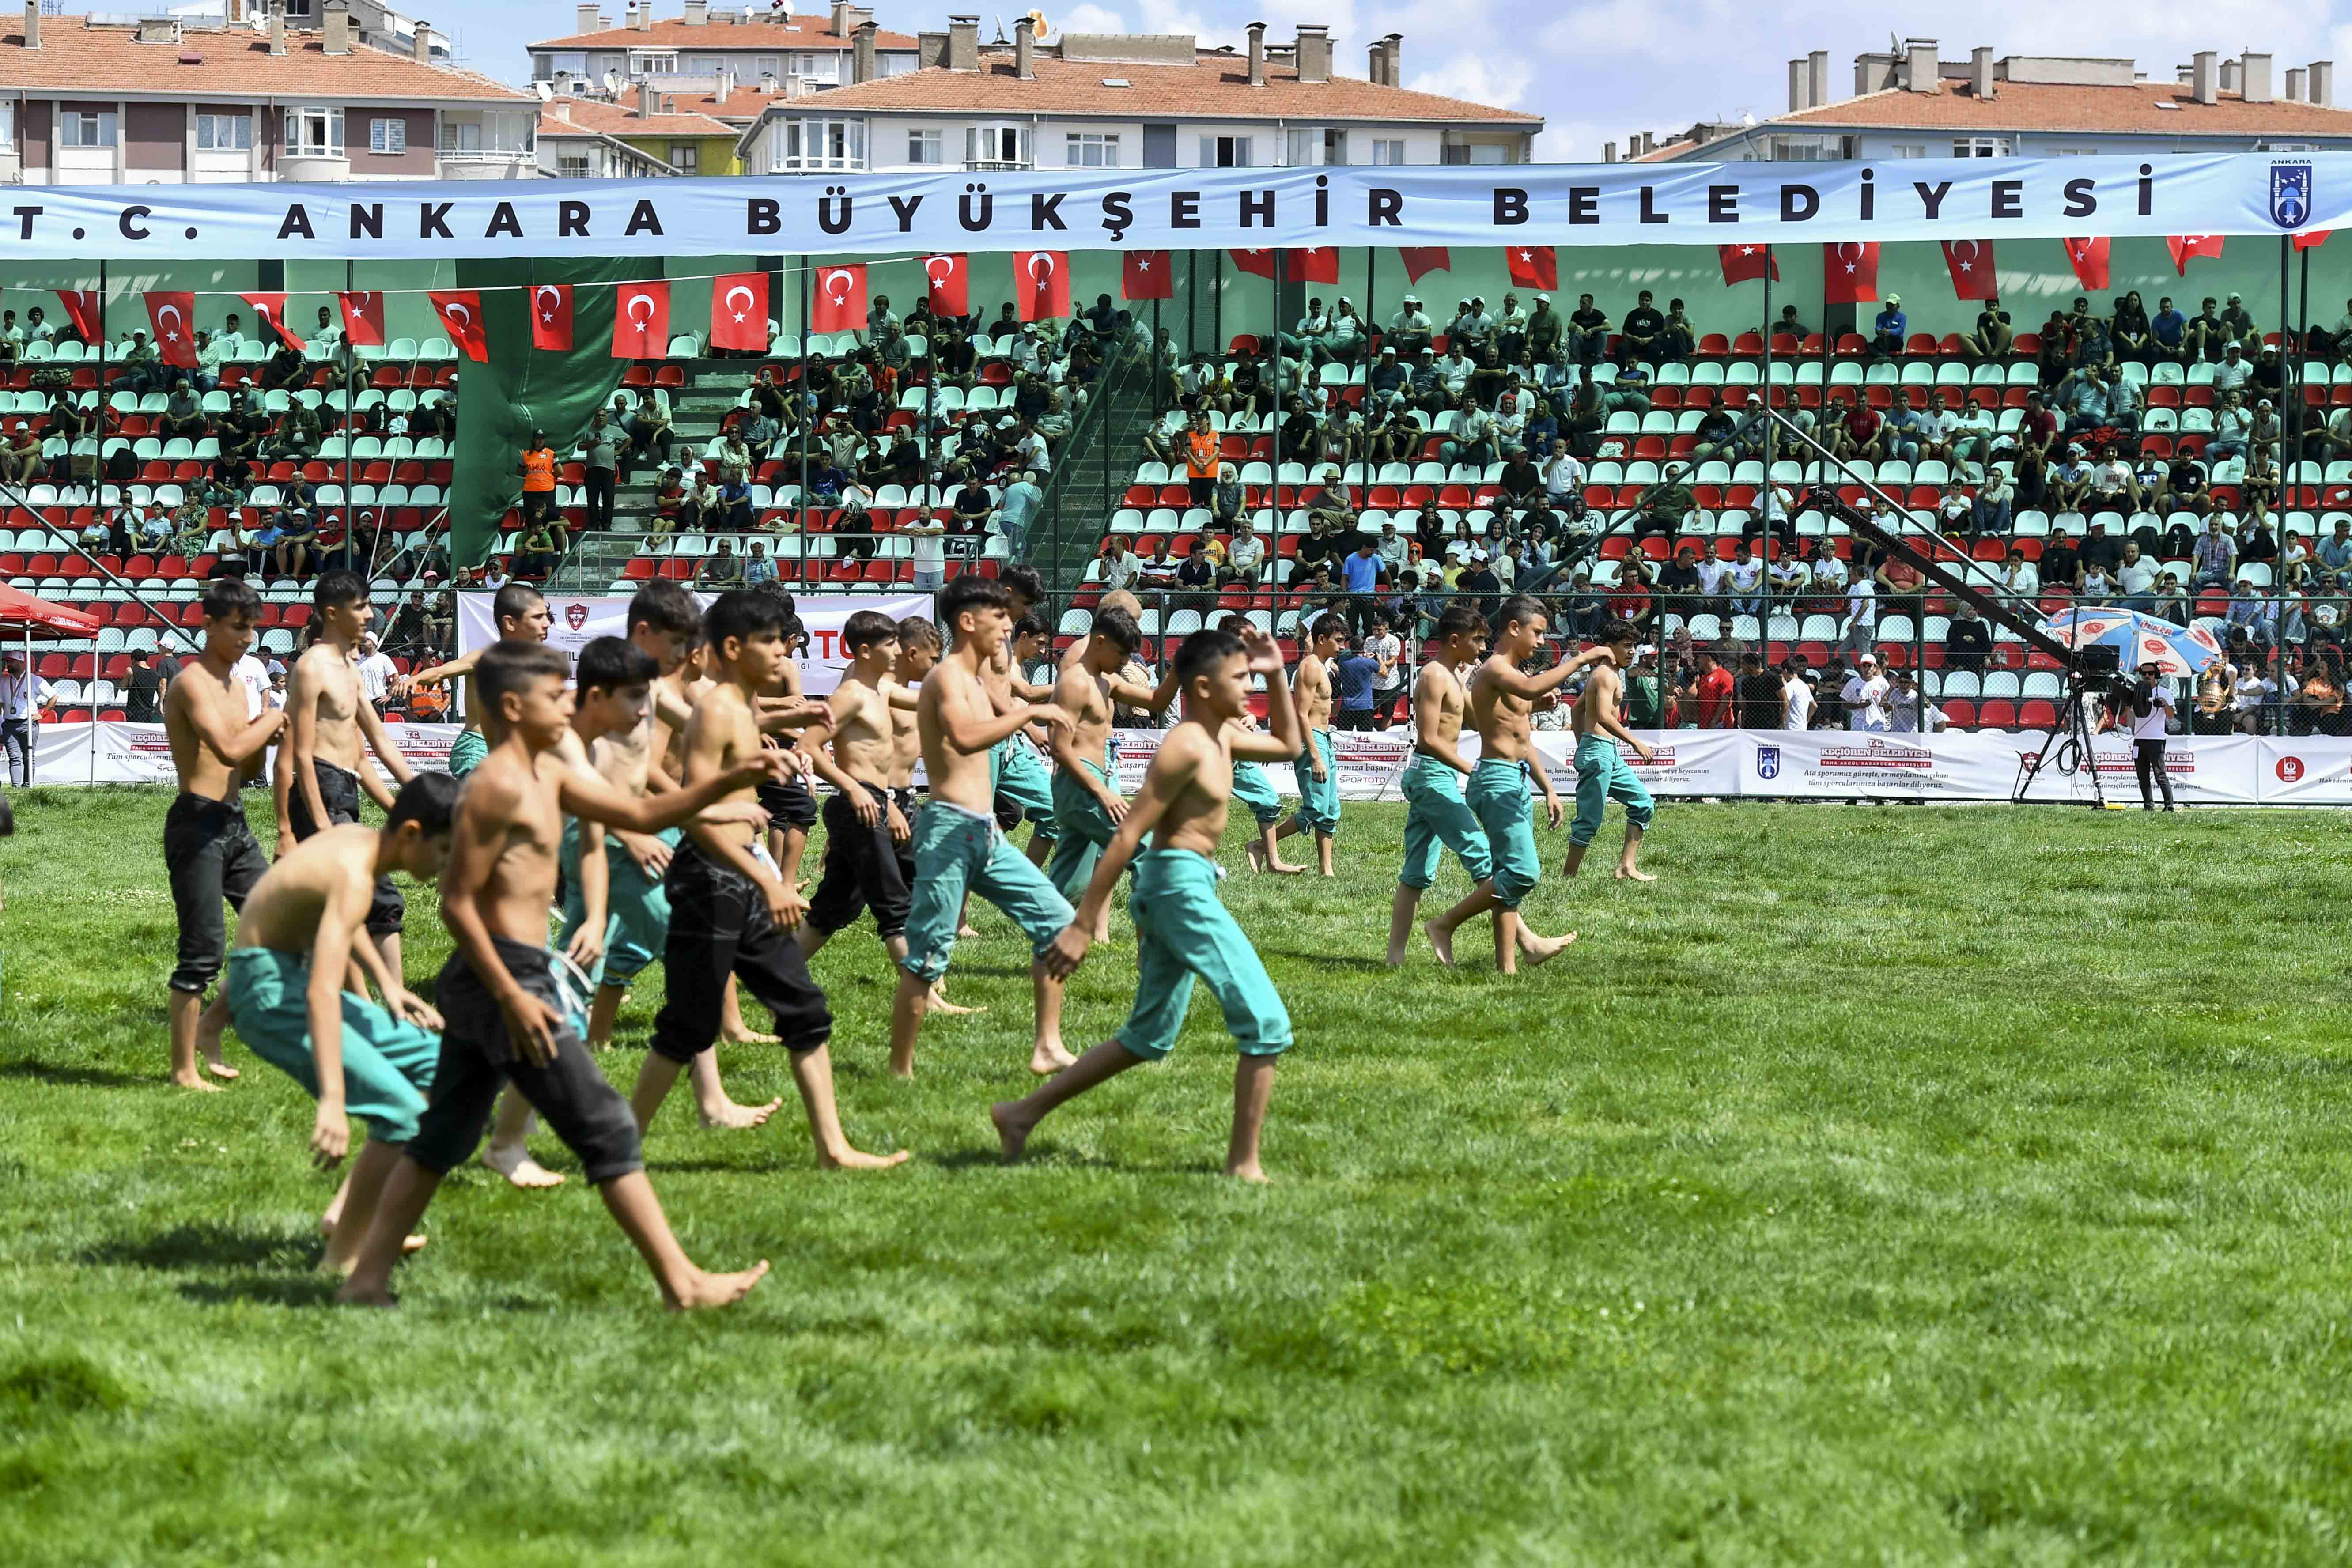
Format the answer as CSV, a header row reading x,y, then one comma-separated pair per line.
x,y
1182,930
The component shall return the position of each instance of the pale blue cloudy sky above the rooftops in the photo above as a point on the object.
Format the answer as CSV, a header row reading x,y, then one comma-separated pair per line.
x,y
1612,67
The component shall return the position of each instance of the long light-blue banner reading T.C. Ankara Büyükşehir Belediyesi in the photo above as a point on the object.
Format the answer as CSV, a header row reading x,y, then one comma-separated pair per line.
x,y
1076,210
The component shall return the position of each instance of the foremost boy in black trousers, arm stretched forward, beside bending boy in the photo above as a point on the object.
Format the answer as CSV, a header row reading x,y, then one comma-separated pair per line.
x,y
507,1014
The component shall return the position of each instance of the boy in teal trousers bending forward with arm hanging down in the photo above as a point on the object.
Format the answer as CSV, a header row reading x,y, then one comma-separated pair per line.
x,y
288,996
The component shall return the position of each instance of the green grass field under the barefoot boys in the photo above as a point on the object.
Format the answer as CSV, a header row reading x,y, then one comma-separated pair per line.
x,y
1885,1186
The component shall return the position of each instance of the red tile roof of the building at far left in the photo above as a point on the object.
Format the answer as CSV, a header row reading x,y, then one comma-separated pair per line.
x,y
234,65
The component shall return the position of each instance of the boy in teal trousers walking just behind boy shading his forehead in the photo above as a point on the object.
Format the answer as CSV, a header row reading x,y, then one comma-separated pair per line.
x,y
958,843
